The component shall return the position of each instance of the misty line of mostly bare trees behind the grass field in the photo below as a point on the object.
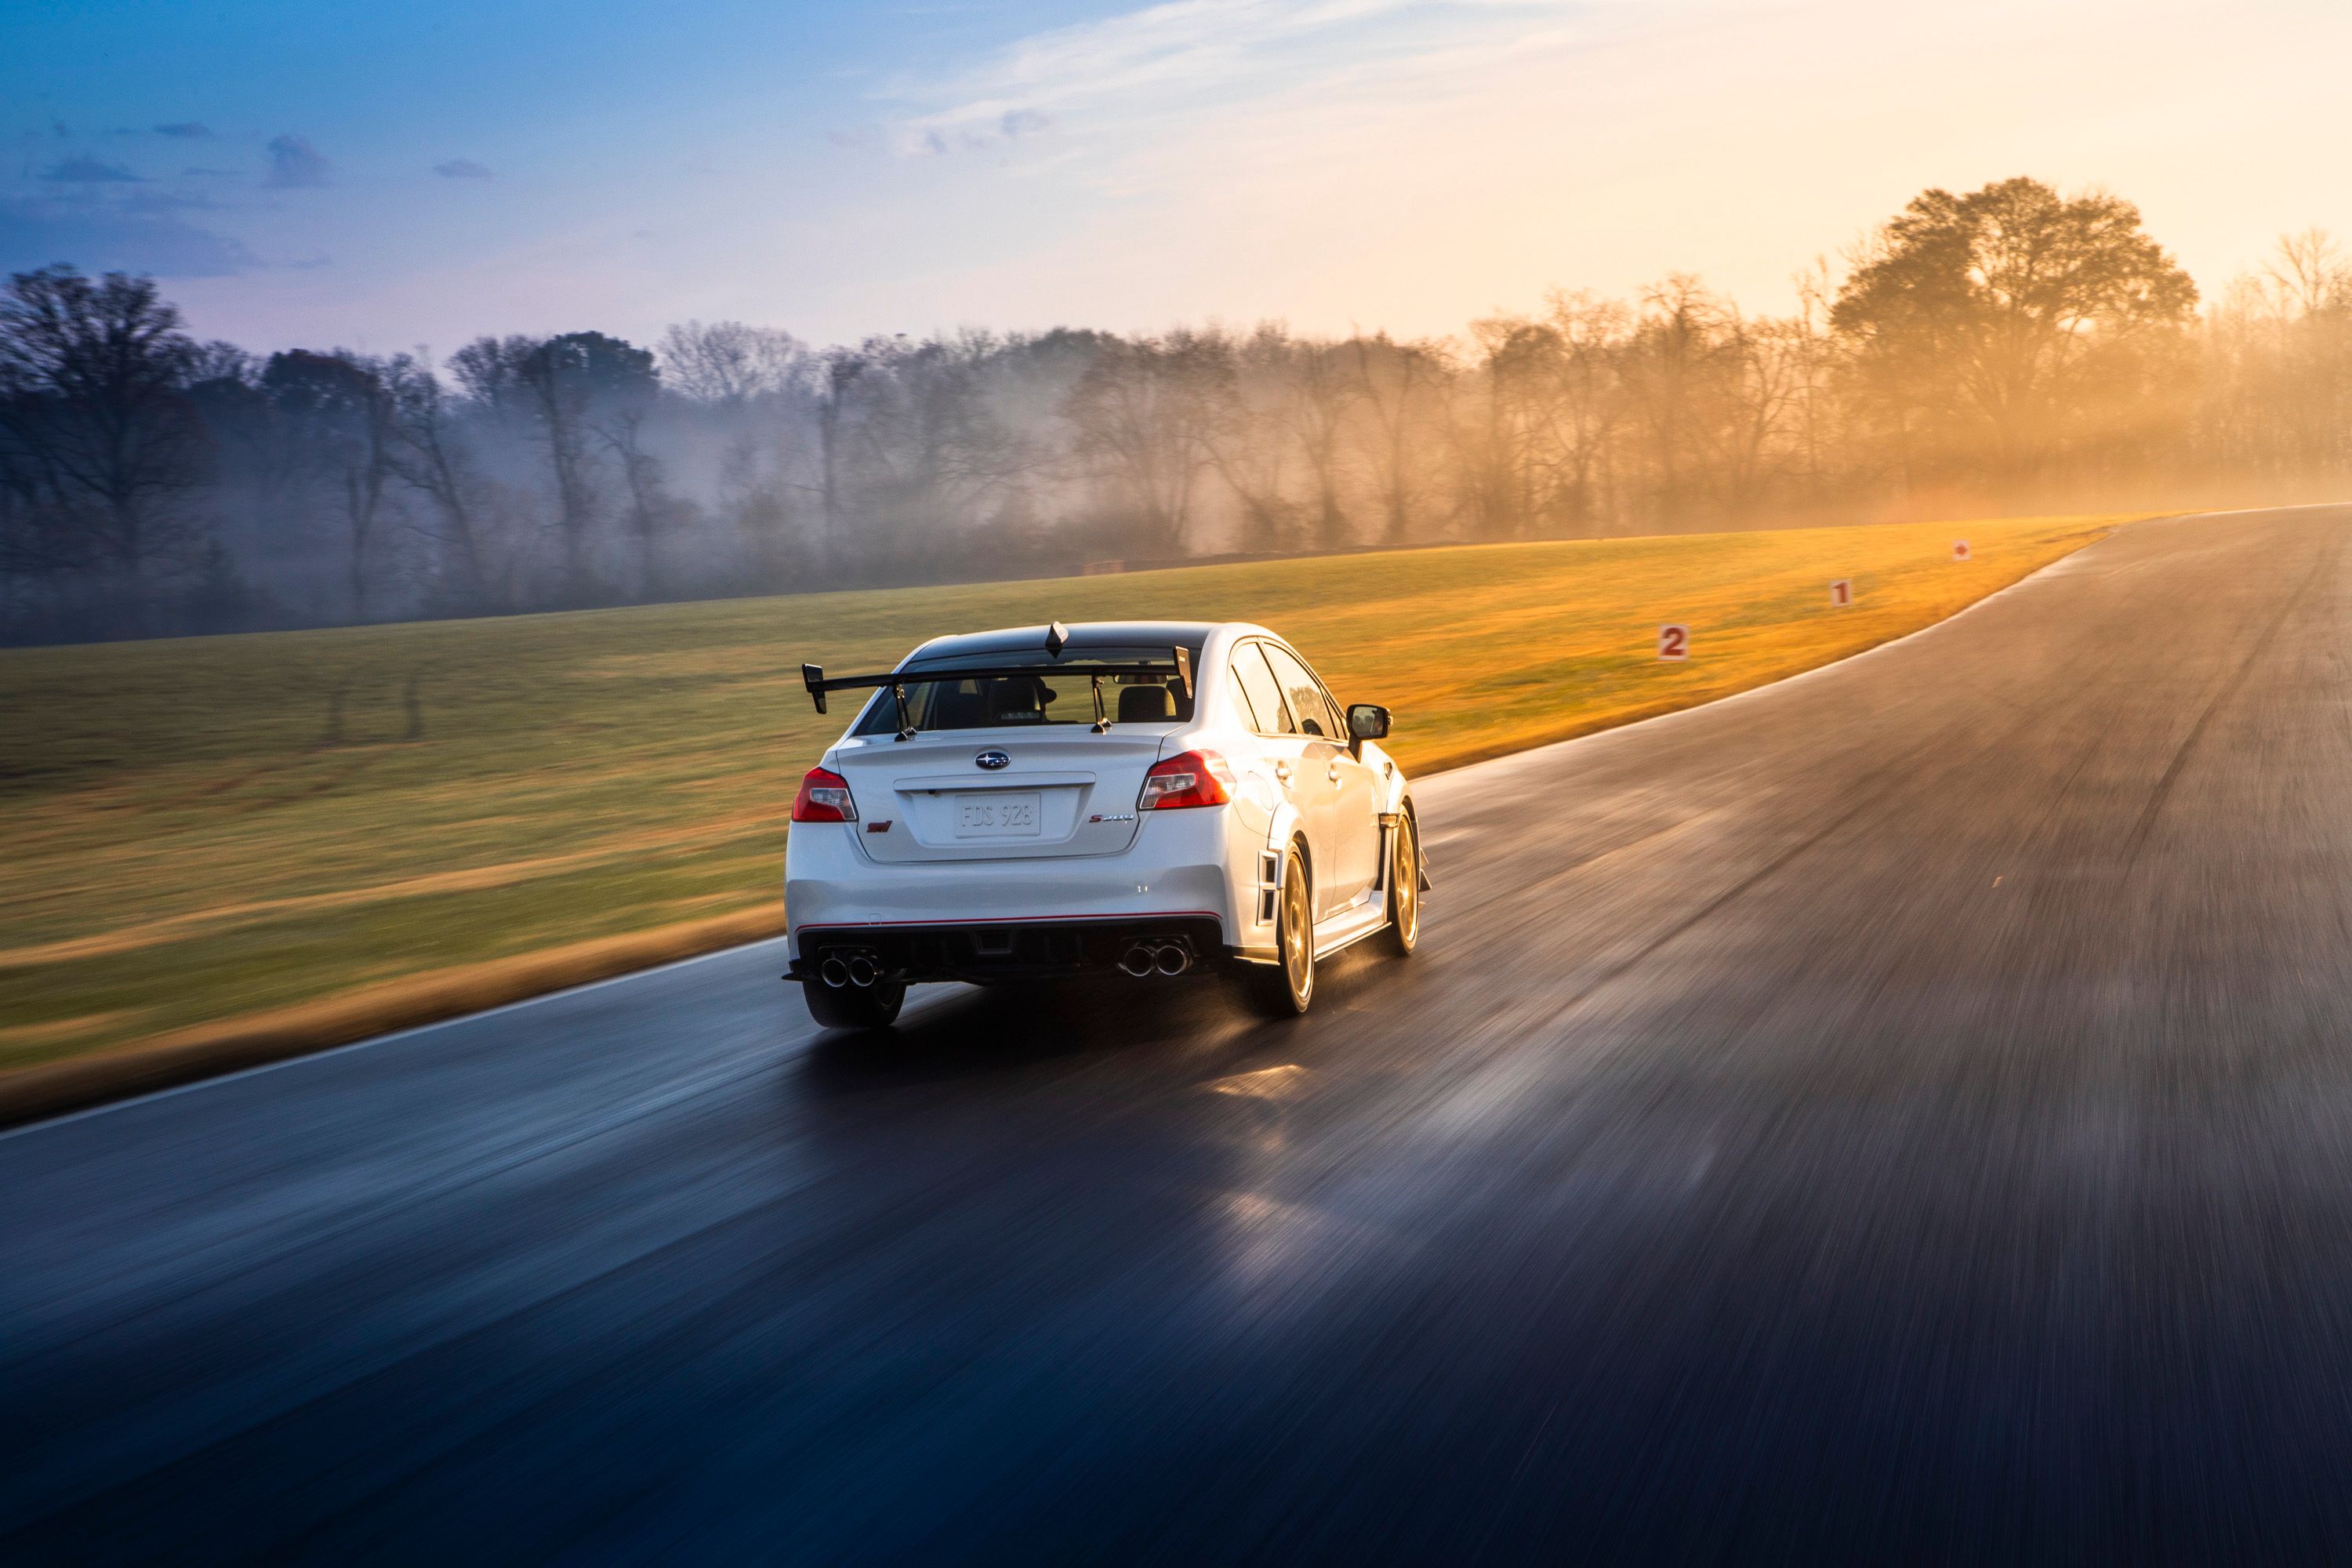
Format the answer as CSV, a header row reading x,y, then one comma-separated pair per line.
x,y
2003,349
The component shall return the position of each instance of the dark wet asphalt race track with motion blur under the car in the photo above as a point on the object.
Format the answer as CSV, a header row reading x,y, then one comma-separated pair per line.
x,y
1899,1115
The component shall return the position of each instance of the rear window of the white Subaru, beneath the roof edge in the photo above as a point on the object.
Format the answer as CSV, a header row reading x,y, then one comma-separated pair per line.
x,y
1017,702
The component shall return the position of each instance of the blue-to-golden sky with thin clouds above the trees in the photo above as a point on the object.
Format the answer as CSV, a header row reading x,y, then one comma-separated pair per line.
x,y
415,175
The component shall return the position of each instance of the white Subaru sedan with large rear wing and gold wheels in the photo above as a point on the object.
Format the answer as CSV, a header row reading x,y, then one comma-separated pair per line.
x,y
1151,796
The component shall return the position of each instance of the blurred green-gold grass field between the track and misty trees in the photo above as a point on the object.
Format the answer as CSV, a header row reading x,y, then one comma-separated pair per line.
x,y
323,833
